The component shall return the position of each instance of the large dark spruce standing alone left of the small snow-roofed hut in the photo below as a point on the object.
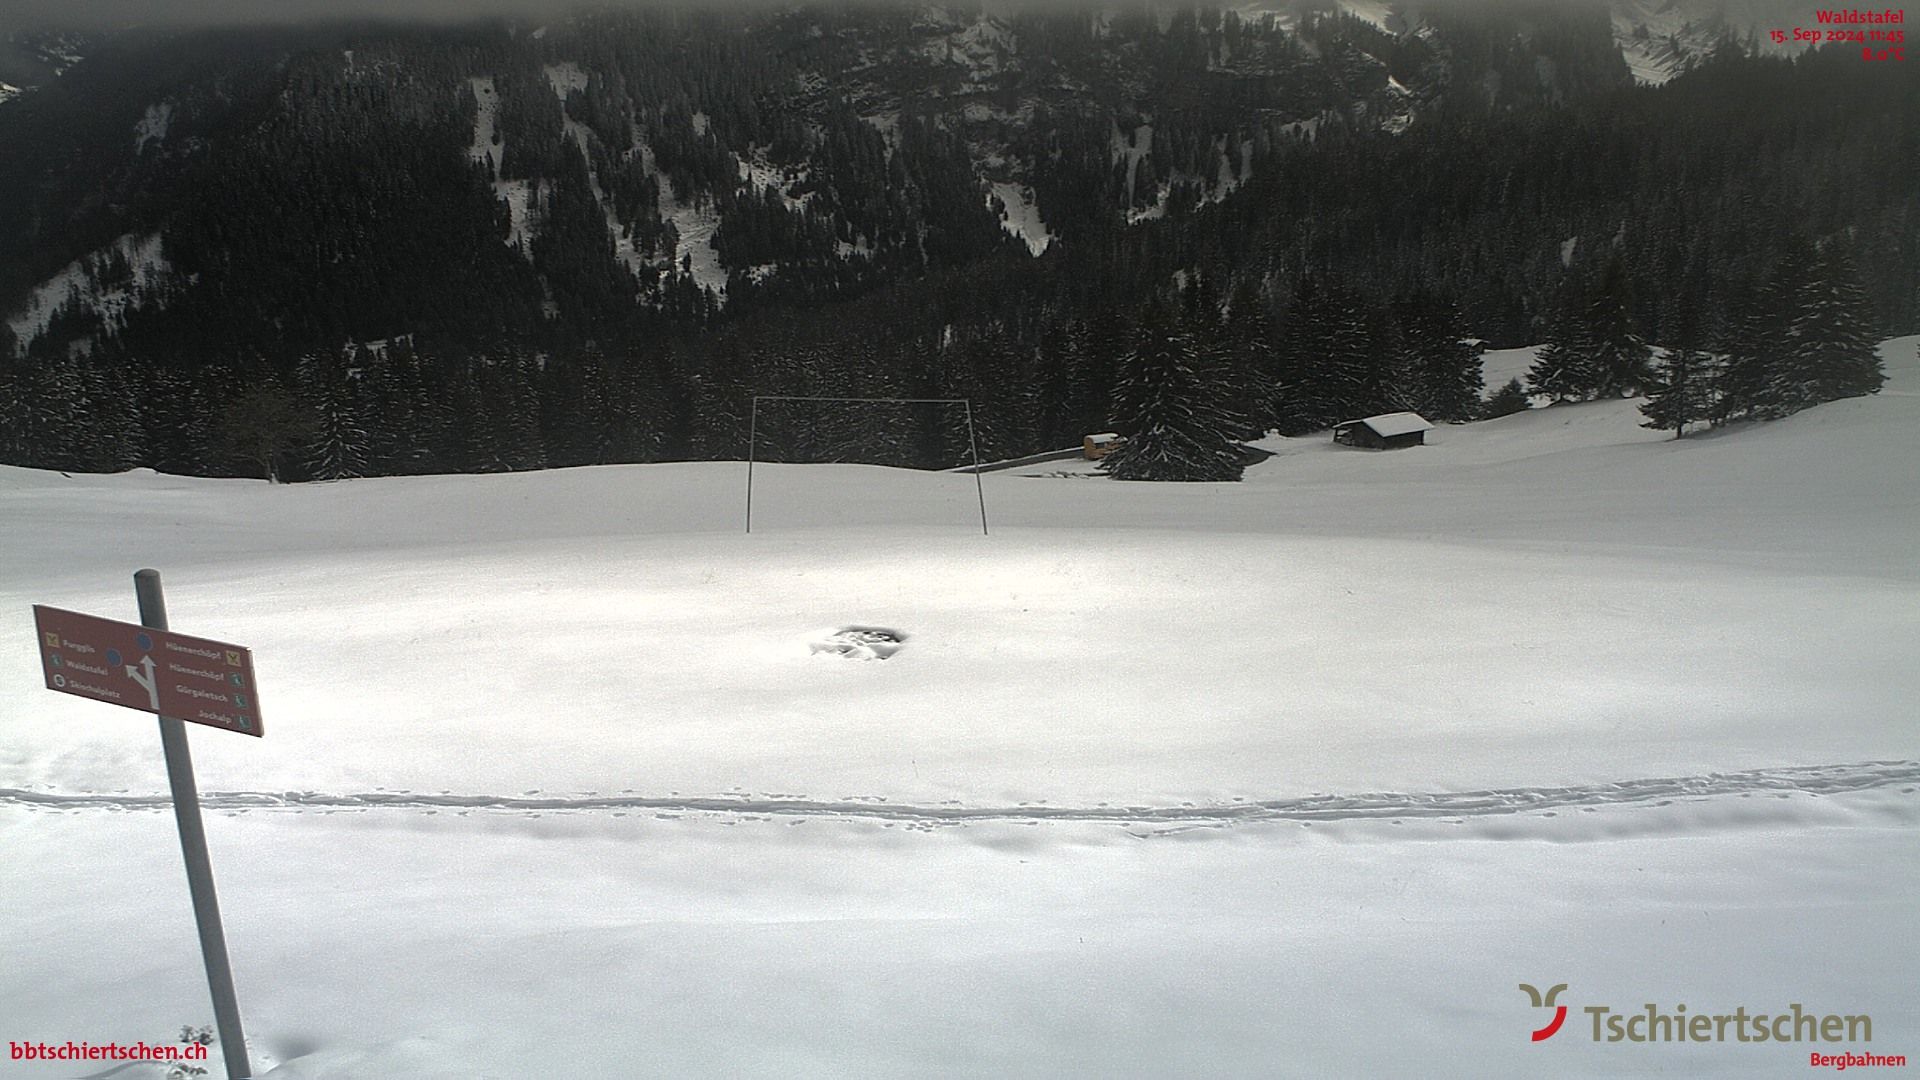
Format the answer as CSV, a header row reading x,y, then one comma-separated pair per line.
x,y
1176,410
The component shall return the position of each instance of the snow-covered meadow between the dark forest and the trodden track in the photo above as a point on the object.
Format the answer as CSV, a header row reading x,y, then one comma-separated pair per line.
x,y
1550,599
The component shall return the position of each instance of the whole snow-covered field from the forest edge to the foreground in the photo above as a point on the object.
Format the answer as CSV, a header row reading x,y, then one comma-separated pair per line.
x,y
1295,777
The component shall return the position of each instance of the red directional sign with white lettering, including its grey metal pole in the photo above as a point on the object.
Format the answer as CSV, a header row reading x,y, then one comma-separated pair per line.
x,y
183,679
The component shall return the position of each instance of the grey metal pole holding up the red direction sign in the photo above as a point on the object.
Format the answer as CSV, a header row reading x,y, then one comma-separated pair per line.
x,y
195,847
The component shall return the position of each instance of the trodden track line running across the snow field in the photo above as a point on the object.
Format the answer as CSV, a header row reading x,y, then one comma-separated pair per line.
x,y
1664,791
